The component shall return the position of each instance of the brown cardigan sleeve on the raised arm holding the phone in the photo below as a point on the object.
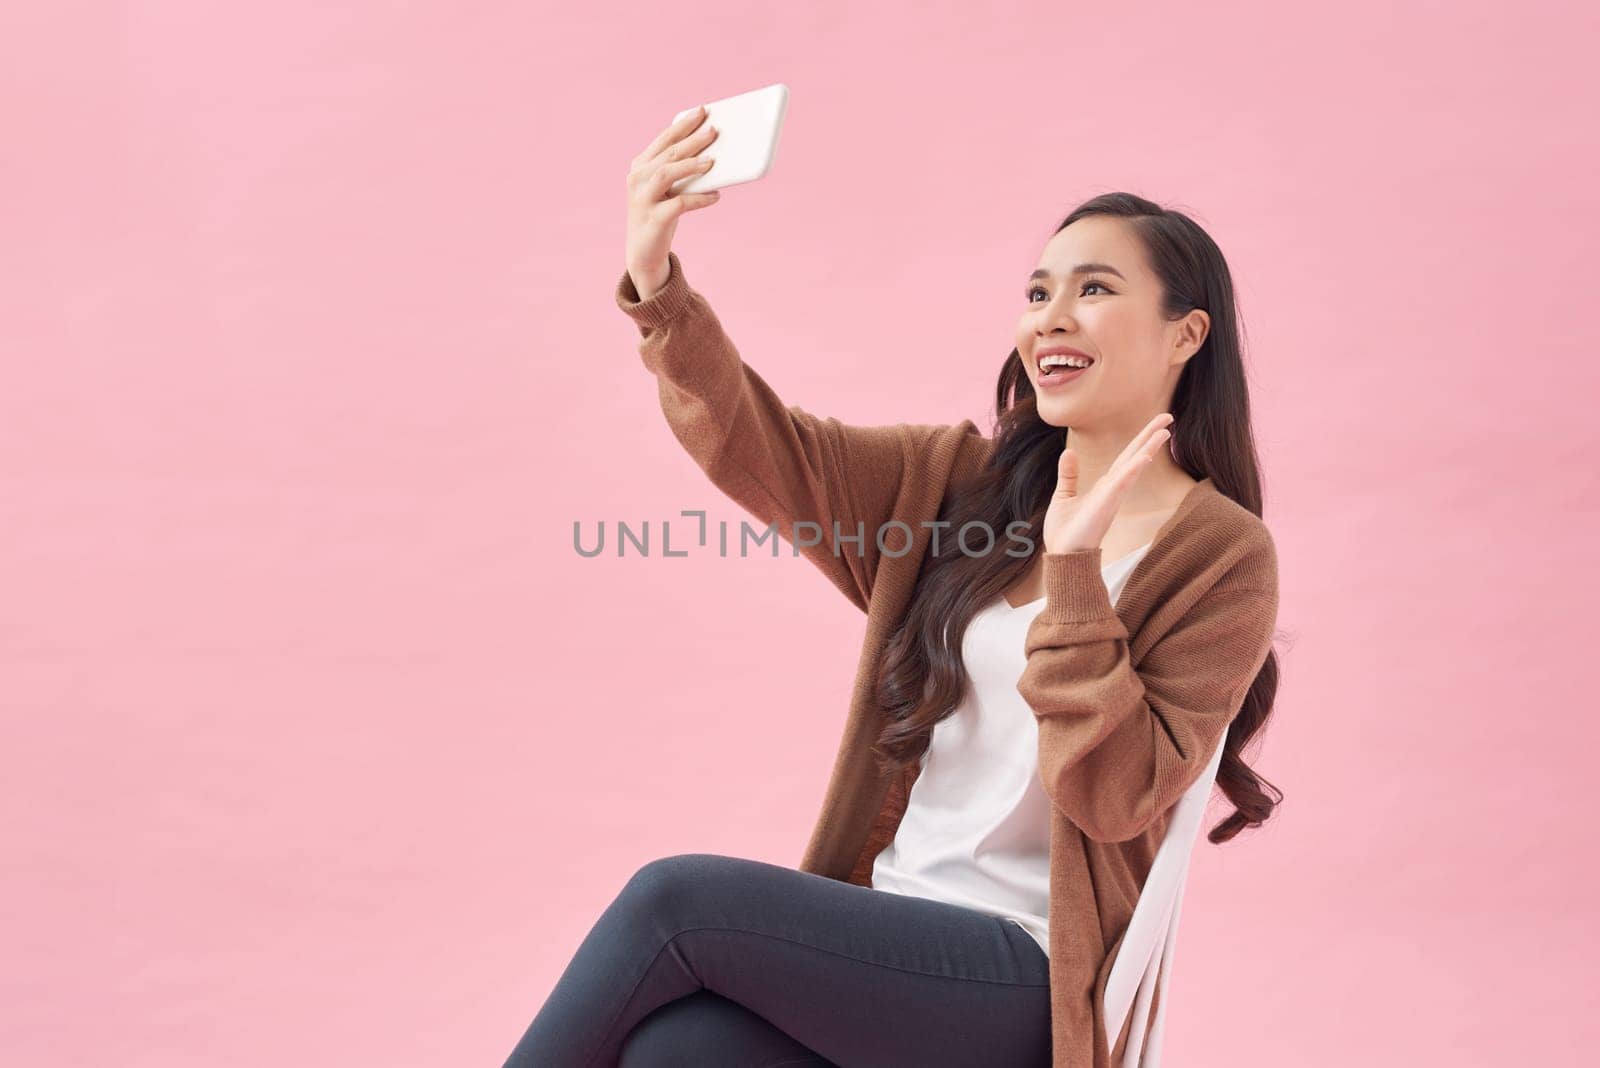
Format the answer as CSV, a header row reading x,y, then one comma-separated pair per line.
x,y
783,464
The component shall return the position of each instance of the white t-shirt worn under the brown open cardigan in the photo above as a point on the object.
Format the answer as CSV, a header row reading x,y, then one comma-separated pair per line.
x,y
977,824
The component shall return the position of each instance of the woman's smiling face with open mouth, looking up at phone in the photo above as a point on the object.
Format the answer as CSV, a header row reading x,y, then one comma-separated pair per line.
x,y
1100,298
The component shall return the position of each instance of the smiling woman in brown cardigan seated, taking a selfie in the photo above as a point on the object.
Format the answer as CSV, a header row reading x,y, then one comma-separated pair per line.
x,y
1023,720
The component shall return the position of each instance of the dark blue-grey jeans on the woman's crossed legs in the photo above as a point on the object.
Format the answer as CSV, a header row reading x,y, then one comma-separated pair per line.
x,y
729,963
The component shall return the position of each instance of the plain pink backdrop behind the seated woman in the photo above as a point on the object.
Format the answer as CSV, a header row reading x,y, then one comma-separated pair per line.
x,y
324,747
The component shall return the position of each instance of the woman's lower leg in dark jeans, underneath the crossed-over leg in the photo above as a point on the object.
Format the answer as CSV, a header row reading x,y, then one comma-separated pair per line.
x,y
710,1032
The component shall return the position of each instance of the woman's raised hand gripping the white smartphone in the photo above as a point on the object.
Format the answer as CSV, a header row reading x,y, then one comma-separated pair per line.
x,y
652,212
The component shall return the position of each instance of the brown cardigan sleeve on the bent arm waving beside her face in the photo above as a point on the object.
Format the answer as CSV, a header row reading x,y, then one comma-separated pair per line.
x,y
1119,746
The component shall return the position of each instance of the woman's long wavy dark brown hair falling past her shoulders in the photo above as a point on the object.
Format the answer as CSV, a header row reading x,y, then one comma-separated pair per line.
x,y
922,677
